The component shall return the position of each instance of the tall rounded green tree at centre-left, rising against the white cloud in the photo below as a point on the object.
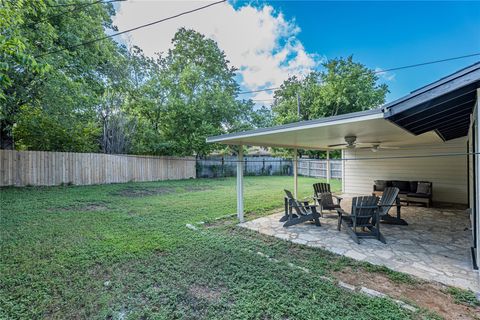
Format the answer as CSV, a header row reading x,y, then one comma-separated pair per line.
x,y
200,88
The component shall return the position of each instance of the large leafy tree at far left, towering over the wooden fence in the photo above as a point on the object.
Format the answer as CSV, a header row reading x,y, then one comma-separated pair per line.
x,y
61,90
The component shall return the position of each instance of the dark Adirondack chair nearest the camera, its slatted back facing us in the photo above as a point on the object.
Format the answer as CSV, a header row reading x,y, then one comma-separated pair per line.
x,y
363,221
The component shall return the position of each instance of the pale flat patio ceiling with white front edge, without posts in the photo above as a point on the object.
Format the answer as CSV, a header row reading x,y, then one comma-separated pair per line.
x,y
368,126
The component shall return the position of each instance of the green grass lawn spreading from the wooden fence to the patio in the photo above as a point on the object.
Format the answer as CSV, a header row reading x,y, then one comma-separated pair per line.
x,y
123,251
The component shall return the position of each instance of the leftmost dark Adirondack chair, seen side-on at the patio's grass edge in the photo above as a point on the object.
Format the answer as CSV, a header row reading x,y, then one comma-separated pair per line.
x,y
303,212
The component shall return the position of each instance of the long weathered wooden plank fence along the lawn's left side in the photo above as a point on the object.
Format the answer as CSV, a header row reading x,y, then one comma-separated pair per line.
x,y
41,168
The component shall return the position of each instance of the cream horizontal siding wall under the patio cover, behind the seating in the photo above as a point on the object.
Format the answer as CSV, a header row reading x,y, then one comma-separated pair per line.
x,y
447,173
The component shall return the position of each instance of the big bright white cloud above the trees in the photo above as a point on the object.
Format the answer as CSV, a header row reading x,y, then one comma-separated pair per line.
x,y
259,41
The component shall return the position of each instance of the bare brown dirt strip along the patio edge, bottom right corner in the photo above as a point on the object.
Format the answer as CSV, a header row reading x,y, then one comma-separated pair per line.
x,y
430,296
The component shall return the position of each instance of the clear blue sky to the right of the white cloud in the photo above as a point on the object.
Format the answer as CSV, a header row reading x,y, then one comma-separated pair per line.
x,y
390,34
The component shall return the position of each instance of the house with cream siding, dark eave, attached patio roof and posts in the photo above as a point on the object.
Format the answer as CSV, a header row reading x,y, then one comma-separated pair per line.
x,y
431,134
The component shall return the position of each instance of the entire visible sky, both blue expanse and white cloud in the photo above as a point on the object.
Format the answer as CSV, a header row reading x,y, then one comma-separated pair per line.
x,y
268,41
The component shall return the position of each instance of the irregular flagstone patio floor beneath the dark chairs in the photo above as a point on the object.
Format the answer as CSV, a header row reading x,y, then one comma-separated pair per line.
x,y
434,246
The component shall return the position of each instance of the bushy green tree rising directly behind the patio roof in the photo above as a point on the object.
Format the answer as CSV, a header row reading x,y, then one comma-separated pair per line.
x,y
343,86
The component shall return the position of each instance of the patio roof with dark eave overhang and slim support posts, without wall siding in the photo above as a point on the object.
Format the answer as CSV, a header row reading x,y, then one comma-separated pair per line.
x,y
432,114
